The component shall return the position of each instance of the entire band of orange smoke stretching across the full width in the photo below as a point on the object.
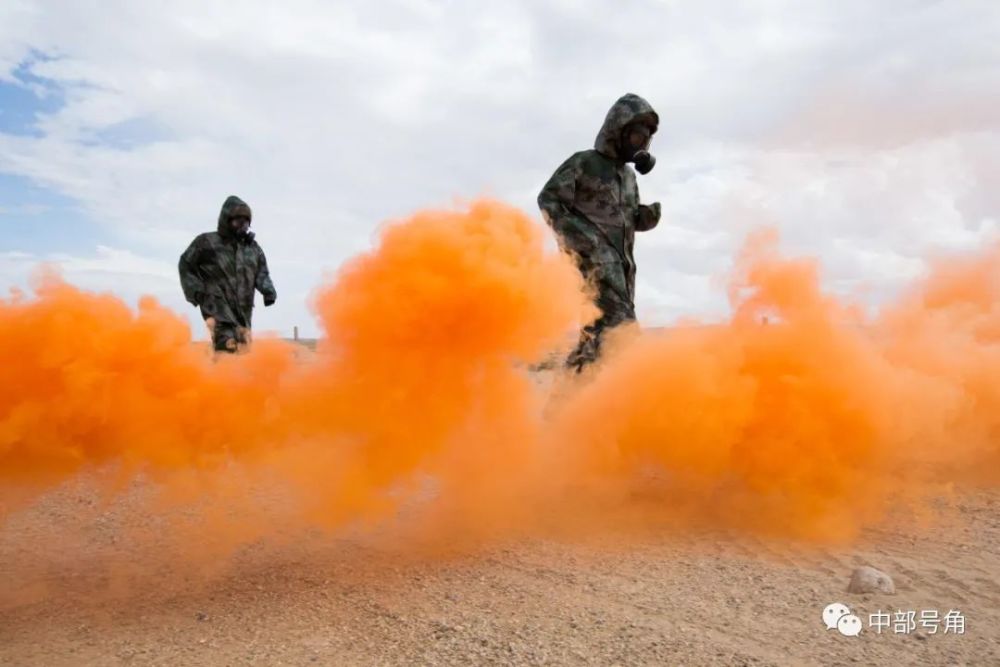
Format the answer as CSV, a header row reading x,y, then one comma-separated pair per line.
x,y
420,403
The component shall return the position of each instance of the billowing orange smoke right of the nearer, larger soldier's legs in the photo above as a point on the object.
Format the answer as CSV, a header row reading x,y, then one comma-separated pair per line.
x,y
809,425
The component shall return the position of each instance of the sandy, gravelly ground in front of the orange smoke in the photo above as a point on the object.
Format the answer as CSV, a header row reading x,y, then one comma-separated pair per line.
x,y
711,599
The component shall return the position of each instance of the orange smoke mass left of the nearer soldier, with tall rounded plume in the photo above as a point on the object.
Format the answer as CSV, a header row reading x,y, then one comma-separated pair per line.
x,y
422,340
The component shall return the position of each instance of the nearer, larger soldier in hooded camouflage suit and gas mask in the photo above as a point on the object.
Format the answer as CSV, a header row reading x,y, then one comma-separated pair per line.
x,y
592,204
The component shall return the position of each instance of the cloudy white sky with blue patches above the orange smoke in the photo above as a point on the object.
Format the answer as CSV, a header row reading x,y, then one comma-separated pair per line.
x,y
868,132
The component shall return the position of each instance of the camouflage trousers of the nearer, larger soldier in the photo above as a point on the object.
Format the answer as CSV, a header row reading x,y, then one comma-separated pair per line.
x,y
616,306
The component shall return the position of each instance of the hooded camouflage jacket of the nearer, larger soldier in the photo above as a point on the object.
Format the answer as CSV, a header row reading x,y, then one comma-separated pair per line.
x,y
592,201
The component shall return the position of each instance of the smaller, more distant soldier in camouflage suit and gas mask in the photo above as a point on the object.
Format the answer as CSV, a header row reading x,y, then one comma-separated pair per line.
x,y
220,271
